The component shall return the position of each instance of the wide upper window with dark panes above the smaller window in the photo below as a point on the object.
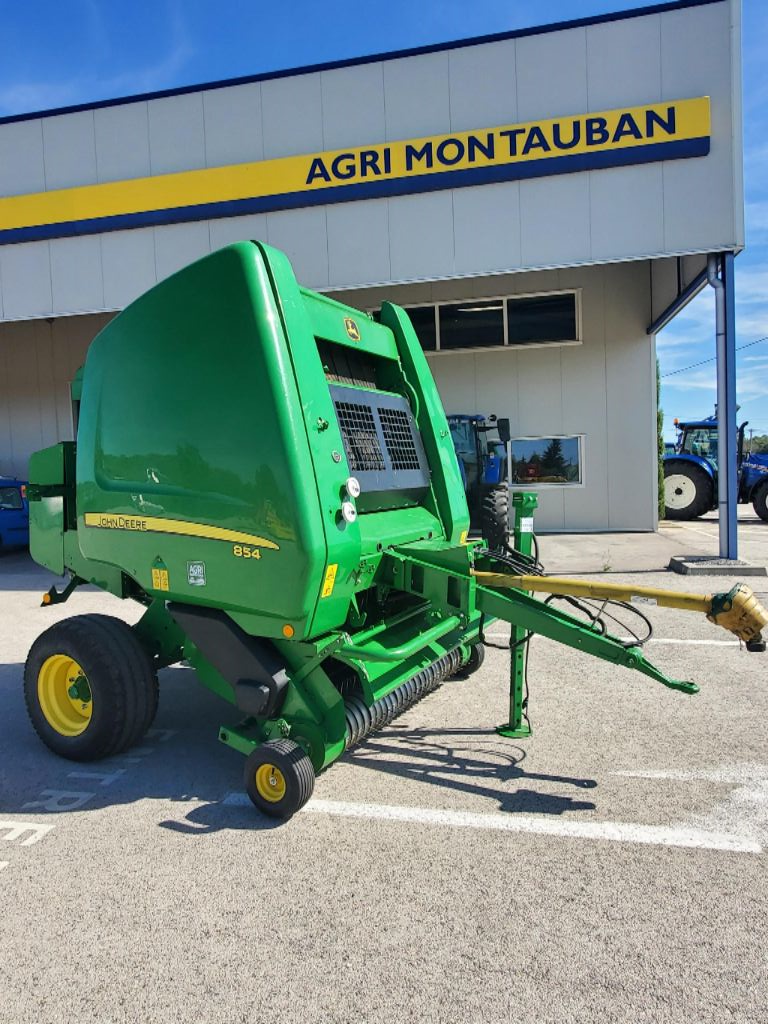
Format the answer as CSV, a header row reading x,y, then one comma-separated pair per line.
x,y
508,322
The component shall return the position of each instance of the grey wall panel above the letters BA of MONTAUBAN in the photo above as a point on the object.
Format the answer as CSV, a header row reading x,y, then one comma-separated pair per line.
x,y
624,64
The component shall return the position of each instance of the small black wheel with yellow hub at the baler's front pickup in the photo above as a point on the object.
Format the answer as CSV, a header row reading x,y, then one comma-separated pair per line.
x,y
279,778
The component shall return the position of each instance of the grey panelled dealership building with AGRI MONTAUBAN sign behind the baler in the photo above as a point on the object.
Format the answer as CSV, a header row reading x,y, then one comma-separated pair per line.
x,y
536,200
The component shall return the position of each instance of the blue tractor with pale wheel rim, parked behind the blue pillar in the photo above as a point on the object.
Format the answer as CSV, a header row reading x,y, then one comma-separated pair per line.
x,y
691,473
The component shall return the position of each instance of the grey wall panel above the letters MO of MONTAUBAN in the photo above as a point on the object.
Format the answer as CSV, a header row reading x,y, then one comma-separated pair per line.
x,y
416,93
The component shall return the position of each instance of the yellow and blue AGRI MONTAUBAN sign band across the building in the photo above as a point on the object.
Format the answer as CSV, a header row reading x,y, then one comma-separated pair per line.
x,y
656,132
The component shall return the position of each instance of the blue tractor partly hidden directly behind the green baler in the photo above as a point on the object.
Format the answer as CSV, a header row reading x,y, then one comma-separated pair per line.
x,y
481,445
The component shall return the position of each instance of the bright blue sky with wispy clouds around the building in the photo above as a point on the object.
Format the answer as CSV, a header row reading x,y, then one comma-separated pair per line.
x,y
56,54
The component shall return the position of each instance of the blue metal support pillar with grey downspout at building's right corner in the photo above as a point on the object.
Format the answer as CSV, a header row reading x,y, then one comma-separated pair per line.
x,y
720,275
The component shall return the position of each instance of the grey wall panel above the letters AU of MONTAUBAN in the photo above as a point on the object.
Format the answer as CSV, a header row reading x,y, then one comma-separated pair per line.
x,y
552,75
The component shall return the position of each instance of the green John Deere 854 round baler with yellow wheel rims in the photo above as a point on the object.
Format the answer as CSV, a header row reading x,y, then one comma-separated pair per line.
x,y
271,474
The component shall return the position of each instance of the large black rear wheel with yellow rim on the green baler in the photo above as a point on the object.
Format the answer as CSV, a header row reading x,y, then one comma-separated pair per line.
x,y
122,688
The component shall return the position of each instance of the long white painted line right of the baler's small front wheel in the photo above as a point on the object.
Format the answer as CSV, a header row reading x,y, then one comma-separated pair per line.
x,y
613,832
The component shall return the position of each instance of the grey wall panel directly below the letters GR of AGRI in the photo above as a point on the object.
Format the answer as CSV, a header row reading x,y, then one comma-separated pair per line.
x,y
359,242
